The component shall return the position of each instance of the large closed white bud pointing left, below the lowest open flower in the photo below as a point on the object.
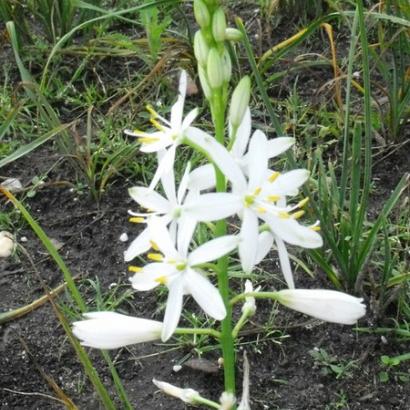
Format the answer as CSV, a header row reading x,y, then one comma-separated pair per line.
x,y
110,330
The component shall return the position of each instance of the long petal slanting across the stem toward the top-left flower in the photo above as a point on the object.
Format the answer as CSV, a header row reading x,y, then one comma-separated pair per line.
x,y
219,155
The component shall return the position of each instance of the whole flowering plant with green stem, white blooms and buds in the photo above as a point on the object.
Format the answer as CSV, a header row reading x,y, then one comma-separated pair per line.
x,y
242,185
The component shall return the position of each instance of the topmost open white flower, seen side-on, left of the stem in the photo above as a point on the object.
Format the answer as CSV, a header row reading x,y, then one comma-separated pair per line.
x,y
170,133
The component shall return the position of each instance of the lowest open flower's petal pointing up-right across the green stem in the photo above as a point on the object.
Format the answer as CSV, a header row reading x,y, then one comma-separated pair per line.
x,y
213,249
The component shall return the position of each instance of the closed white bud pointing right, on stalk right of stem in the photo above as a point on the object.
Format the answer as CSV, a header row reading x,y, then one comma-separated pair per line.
x,y
327,305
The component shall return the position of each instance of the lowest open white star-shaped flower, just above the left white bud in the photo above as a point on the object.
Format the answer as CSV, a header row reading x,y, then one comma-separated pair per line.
x,y
177,269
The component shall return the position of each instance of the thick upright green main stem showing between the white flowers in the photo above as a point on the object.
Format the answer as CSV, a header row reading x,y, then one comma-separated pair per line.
x,y
227,341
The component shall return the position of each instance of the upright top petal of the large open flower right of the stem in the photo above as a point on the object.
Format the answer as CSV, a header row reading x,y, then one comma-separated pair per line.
x,y
257,160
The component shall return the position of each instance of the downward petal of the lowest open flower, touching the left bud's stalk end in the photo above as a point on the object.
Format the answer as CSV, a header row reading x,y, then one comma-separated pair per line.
x,y
173,309
